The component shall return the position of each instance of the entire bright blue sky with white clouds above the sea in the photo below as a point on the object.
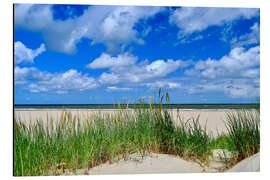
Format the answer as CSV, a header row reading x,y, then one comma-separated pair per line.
x,y
79,54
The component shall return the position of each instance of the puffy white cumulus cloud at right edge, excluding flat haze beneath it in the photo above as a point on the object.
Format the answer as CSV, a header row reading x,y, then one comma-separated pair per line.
x,y
240,63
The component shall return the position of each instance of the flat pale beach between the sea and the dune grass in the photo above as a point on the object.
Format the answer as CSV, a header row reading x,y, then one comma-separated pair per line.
x,y
212,120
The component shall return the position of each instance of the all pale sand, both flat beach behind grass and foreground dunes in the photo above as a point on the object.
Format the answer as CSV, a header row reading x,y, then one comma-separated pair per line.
x,y
213,120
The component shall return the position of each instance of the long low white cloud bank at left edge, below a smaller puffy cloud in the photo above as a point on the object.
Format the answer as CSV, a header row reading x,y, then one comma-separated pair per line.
x,y
37,81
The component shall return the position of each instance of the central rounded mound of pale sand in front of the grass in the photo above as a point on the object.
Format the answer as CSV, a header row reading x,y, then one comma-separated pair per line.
x,y
153,163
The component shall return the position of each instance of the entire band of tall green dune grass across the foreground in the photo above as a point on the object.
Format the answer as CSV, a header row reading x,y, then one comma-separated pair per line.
x,y
70,143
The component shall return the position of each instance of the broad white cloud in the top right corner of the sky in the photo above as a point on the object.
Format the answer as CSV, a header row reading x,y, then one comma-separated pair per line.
x,y
195,19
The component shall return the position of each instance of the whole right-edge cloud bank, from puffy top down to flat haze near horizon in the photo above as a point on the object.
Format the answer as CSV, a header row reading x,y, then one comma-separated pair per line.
x,y
237,75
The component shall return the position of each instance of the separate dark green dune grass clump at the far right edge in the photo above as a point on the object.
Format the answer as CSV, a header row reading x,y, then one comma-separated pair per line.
x,y
242,137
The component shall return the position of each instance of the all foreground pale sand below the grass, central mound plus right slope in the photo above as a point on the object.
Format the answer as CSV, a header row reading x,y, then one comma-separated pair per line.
x,y
163,163
